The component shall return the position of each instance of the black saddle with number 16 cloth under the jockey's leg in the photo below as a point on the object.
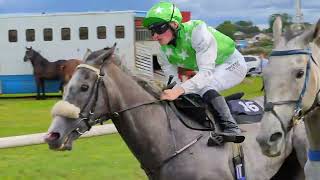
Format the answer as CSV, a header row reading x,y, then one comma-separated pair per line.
x,y
195,113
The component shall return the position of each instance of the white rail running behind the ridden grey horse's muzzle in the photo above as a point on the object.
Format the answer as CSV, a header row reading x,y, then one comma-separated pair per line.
x,y
31,139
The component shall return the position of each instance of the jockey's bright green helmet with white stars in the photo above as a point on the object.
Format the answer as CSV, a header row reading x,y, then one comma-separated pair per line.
x,y
162,12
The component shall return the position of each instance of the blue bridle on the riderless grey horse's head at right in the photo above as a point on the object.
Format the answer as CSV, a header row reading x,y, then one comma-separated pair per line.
x,y
298,113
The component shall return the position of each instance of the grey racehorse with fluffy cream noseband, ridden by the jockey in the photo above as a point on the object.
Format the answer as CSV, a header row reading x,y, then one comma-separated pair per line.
x,y
102,89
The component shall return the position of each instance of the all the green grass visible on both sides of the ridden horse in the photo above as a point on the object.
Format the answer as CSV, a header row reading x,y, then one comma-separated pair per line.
x,y
104,157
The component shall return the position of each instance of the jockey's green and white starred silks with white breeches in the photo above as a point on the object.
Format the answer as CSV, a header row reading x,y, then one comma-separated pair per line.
x,y
219,67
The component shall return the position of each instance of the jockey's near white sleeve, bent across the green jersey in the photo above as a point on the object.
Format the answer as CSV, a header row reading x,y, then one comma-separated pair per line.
x,y
205,46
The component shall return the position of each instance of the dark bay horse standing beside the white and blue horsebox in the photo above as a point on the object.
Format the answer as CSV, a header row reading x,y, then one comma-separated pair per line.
x,y
45,70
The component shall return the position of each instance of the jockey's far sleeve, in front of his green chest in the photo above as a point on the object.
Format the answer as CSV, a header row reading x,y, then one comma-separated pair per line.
x,y
167,68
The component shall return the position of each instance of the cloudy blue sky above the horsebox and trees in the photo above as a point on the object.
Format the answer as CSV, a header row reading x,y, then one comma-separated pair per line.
x,y
214,12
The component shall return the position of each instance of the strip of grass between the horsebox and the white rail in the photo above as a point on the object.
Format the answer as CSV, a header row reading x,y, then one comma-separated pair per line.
x,y
24,116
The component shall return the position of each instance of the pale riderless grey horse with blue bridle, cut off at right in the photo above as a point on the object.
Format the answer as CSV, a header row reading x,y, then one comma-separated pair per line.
x,y
291,93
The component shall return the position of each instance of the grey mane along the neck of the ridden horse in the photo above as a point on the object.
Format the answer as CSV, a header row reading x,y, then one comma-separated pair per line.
x,y
153,87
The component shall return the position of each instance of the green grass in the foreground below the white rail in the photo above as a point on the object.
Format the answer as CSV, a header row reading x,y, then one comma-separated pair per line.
x,y
95,158
